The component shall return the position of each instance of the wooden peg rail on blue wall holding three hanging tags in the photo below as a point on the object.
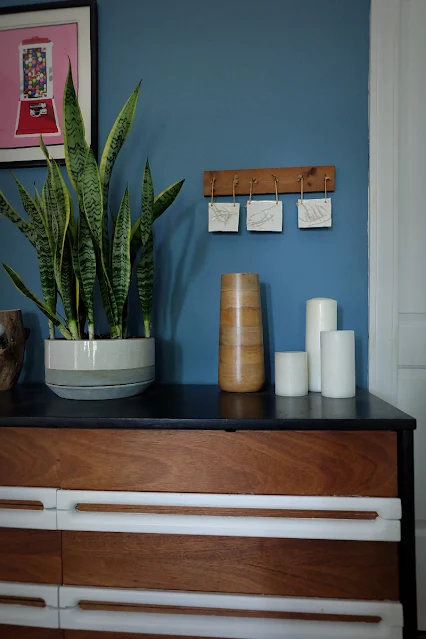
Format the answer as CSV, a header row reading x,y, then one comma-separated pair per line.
x,y
288,180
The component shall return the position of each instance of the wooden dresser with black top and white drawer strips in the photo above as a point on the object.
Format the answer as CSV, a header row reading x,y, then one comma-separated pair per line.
x,y
189,512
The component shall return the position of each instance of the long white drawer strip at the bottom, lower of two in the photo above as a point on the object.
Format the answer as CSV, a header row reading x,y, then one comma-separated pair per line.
x,y
232,627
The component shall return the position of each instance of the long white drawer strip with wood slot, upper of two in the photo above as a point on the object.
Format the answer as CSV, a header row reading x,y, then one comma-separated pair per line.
x,y
285,517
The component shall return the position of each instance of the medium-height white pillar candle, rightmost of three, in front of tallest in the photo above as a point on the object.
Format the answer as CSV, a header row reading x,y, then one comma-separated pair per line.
x,y
338,364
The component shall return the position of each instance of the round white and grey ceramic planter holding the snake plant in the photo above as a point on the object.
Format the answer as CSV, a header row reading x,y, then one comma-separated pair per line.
x,y
99,369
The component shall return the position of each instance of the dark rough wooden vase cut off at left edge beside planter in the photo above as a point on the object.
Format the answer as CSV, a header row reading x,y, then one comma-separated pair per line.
x,y
12,356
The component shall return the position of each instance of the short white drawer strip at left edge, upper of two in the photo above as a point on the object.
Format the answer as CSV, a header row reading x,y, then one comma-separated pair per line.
x,y
33,508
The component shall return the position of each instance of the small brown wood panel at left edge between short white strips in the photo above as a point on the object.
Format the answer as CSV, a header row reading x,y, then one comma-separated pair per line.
x,y
32,556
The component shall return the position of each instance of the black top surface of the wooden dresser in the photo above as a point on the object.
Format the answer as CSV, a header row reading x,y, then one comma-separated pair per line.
x,y
191,406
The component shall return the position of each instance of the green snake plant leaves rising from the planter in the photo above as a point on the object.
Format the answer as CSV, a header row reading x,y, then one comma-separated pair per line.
x,y
71,232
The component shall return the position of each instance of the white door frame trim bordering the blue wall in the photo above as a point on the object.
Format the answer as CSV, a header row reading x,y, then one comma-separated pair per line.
x,y
383,197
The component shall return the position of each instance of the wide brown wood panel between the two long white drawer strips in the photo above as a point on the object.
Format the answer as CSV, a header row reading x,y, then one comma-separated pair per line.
x,y
297,568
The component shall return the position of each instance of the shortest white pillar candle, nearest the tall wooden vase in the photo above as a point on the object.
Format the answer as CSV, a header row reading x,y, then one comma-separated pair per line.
x,y
291,374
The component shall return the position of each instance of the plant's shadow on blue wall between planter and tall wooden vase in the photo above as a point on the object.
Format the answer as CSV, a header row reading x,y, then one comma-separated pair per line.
x,y
171,286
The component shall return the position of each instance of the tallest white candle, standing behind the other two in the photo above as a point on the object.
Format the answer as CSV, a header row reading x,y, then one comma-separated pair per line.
x,y
321,315
